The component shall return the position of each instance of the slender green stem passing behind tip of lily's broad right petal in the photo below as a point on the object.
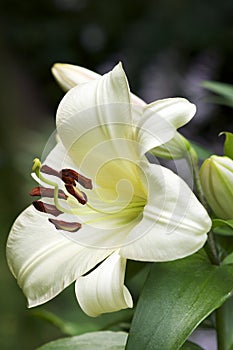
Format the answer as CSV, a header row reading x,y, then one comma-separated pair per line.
x,y
210,246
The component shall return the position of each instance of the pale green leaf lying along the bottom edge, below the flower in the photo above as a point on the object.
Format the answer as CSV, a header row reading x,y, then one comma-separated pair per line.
x,y
90,341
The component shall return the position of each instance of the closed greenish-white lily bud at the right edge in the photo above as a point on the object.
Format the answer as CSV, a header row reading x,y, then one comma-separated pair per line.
x,y
216,176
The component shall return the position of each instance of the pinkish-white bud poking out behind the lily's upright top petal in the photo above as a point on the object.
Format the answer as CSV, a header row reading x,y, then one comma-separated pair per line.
x,y
69,75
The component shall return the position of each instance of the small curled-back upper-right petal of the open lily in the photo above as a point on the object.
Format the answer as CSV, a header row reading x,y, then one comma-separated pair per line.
x,y
166,116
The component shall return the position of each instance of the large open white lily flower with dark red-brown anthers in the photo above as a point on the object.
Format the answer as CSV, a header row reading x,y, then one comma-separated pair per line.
x,y
103,202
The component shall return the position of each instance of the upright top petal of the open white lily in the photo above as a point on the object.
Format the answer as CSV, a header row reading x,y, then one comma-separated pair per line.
x,y
94,120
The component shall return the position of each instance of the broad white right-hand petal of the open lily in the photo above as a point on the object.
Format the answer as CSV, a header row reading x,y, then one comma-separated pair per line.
x,y
174,223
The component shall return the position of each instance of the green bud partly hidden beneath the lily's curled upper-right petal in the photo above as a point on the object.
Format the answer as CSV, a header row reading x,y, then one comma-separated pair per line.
x,y
176,148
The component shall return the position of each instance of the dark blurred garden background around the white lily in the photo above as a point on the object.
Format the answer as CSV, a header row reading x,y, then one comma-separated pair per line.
x,y
167,48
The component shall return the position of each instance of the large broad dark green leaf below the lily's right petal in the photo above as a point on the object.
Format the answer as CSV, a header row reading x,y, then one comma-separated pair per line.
x,y
176,297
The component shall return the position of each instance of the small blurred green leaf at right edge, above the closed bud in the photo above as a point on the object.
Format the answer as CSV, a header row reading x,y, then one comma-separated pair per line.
x,y
222,89
